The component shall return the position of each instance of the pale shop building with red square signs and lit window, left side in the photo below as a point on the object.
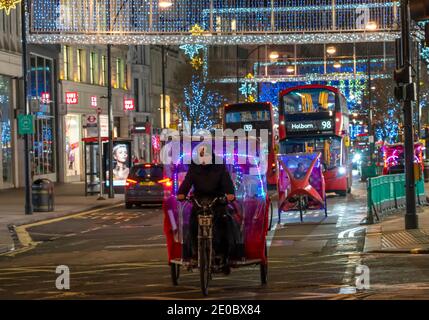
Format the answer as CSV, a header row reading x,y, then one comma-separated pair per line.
x,y
83,75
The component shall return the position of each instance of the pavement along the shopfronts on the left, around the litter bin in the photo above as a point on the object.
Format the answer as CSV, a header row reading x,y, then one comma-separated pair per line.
x,y
69,198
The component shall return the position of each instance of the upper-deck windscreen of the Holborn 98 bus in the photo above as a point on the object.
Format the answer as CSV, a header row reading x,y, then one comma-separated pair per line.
x,y
309,100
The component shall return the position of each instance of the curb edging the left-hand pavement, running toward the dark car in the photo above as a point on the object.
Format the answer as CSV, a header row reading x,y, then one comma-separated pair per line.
x,y
17,243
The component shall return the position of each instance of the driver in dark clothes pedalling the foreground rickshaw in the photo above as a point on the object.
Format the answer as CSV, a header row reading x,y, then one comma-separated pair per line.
x,y
210,181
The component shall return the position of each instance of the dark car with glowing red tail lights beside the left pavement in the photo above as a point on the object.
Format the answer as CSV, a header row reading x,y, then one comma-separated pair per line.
x,y
145,185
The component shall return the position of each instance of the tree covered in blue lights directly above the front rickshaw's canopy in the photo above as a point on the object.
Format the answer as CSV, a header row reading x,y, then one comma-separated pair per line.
x,y
200,105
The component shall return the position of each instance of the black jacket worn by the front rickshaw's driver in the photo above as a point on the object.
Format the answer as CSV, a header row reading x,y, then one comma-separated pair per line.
x,y
209,181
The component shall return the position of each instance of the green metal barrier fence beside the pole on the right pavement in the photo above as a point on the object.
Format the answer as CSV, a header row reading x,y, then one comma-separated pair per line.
x,y
387,193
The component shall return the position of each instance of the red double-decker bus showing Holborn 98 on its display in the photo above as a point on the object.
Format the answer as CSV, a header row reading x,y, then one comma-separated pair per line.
x,y
315,118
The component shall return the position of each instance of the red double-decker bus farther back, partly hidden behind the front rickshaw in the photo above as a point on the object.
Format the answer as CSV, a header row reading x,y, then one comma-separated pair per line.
x,y
254,116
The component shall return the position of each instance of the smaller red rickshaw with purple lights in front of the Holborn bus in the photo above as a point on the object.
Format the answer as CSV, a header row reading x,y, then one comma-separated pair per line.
x,y
301,185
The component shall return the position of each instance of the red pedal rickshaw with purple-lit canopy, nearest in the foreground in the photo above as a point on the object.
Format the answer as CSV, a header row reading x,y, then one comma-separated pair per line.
x,y
249,213
